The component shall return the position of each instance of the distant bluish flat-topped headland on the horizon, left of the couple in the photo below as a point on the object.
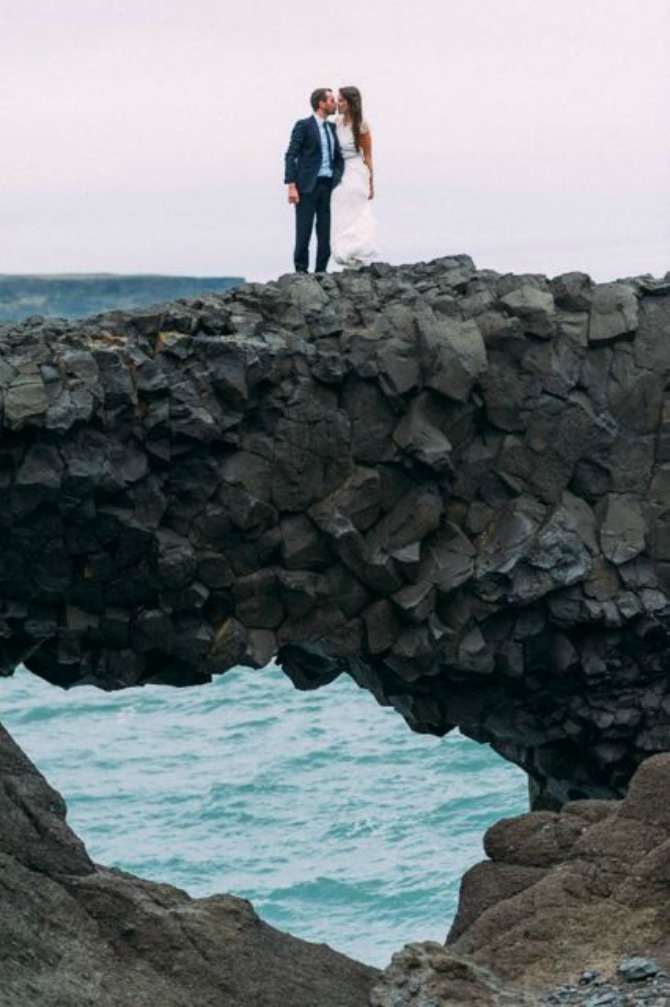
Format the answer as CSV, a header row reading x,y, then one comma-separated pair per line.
x,y
76,297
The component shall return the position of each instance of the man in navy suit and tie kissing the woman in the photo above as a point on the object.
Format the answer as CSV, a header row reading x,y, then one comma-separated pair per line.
x,y
315,167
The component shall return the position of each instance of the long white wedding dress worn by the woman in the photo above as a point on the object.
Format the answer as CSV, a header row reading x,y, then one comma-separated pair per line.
x,y
353,227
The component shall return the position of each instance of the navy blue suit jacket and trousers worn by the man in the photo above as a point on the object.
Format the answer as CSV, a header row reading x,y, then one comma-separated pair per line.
x,y
304,164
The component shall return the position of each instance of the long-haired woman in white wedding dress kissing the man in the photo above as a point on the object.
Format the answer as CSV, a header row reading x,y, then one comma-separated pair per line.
x,y
353,237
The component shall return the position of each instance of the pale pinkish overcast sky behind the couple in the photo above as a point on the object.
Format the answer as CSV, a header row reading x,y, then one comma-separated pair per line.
x,y
149,135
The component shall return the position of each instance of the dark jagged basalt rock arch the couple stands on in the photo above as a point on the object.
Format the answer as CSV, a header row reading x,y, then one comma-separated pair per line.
x,y
452,485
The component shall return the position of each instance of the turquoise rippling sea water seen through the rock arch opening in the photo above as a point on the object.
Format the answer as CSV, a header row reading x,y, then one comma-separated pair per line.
x,y
324,809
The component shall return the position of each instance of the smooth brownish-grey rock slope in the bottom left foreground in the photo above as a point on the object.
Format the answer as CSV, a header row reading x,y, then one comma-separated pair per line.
x,y
77,935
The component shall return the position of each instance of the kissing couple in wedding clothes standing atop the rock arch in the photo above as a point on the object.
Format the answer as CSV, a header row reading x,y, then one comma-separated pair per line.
x,y
330,179
